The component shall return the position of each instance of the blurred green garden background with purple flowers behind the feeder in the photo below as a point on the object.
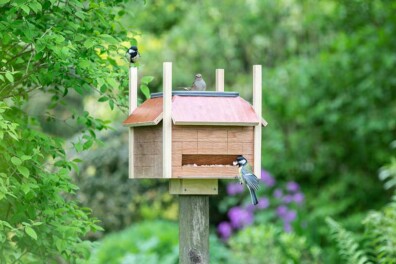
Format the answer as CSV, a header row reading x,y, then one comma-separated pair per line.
x,y
328,153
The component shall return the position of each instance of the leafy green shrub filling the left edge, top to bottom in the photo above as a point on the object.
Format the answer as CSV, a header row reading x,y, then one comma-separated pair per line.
x,y
52,49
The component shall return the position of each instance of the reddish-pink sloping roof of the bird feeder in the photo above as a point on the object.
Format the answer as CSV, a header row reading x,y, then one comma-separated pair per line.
x,y
197,108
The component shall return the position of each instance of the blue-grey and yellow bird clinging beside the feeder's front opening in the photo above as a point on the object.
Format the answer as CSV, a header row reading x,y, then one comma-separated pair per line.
x,y
247,177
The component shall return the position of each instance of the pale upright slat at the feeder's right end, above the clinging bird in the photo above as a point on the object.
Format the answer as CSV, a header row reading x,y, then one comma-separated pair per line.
x,y
257,104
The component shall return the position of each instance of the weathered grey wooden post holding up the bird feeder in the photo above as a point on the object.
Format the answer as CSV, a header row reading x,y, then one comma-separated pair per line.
x,y
193,229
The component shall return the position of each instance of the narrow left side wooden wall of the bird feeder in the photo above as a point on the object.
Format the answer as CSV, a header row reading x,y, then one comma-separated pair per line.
x,y
148,152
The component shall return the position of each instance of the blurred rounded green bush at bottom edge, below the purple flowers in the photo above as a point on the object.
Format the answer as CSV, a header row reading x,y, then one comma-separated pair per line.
x,y
268,244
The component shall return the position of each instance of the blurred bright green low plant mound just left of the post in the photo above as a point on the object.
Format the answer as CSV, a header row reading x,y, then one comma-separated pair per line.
x,y
146,242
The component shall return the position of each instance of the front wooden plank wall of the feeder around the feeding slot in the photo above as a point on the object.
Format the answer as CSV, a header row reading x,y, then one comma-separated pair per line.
x,y
219,140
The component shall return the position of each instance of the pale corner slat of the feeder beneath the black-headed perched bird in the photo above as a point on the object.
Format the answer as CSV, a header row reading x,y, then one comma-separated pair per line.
x,y
132,106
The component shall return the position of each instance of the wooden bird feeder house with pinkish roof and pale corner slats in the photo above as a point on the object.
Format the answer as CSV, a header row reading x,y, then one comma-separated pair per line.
x,y
193,135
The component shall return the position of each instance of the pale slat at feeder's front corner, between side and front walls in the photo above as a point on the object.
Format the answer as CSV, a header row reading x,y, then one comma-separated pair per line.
x,y
167,120
